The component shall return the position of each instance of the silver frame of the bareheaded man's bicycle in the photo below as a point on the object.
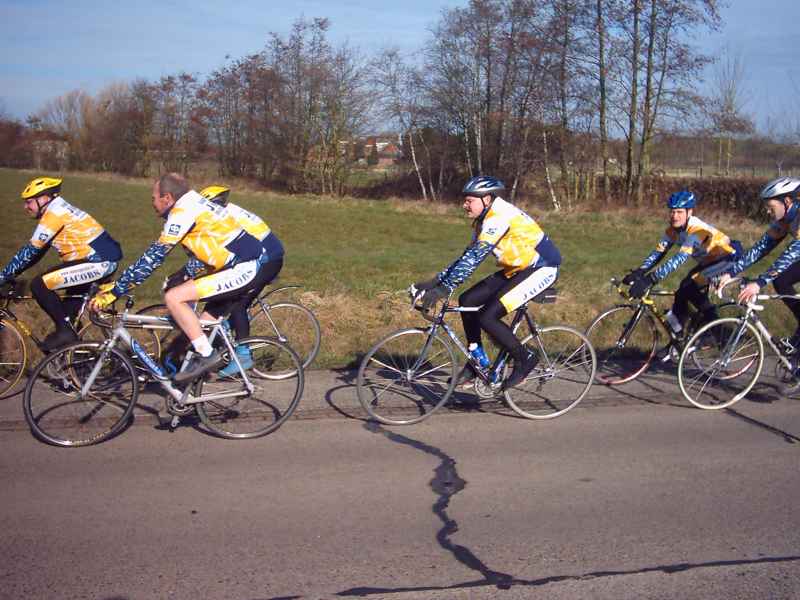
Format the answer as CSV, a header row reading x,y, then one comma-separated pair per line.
x,y
120,333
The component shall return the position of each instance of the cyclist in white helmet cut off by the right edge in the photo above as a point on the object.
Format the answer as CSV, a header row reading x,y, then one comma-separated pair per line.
x,y
781,198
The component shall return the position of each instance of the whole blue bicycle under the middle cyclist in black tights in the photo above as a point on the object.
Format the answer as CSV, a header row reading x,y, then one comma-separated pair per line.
x,y
411,373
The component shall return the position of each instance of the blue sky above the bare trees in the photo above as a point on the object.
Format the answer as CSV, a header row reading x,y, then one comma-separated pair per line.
x,y
49,47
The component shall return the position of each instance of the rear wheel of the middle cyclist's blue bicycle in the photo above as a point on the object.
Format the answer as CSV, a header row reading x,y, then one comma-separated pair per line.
x,y
565,372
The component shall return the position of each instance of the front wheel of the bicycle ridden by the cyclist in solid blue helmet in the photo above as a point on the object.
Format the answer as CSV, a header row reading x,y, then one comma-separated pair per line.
x,y
624,348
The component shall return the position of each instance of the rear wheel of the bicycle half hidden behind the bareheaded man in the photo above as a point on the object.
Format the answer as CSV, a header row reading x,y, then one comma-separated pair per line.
x,y
289,322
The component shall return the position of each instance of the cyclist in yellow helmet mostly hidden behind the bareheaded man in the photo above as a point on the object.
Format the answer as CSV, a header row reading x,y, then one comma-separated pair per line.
x,y
271,261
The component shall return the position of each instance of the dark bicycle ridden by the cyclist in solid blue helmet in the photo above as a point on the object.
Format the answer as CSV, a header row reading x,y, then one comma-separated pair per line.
x,y
626,336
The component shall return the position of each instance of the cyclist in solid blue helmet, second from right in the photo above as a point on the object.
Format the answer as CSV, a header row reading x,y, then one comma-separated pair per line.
x,y
711,248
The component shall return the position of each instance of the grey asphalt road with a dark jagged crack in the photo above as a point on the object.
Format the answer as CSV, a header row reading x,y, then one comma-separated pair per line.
x,y
632,495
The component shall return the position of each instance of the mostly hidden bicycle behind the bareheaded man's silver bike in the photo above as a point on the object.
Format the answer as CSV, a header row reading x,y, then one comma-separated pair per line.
x,y
289,322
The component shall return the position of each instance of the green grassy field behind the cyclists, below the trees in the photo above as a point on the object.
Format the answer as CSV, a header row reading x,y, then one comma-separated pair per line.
x,y
355,258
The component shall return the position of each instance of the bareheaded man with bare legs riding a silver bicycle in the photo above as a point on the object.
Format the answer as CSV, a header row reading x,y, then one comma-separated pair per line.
x,y
214,237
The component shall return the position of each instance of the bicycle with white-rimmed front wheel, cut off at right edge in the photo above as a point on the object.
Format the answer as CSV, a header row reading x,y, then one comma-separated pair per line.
x,y
723,360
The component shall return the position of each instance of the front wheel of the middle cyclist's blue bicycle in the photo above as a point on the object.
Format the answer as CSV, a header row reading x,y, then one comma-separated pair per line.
x,y
406,376
